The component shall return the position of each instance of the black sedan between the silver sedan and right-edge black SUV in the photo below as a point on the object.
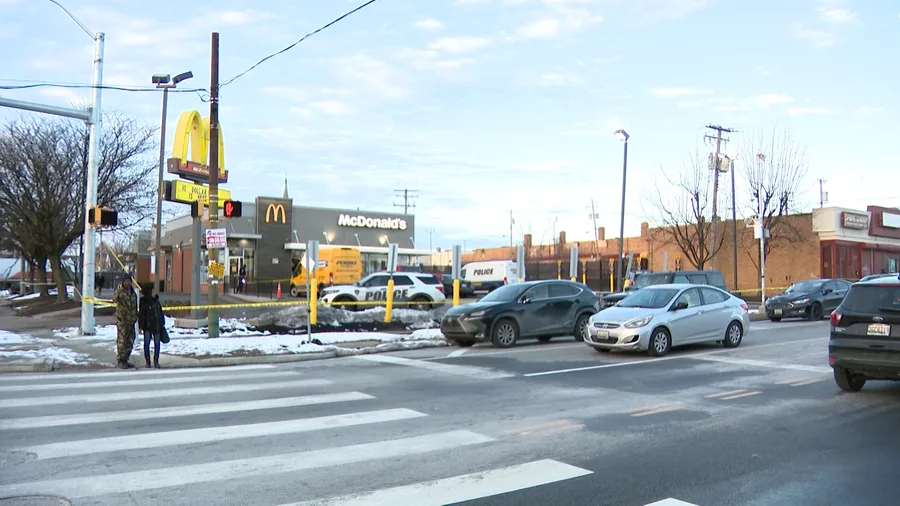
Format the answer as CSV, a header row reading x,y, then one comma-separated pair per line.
x,y
811,299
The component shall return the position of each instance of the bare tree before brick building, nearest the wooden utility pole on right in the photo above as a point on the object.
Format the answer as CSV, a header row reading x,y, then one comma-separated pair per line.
x,y
681,210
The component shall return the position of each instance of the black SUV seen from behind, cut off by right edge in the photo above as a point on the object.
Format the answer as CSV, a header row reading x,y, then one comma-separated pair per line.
x,y
865,334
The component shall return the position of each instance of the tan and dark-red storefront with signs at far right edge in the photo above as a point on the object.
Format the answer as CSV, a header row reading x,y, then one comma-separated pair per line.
x,y
857,243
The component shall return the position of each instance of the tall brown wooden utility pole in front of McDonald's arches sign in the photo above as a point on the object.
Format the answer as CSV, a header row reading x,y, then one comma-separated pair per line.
x,y
213,177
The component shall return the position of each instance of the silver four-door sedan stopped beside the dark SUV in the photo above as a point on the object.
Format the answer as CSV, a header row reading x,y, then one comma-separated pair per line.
x,y
656,318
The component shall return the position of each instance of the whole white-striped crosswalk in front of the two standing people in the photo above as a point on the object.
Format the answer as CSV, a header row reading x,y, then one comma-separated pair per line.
x,y
184,435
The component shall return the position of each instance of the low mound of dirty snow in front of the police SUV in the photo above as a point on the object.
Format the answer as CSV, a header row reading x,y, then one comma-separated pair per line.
x,y
297,317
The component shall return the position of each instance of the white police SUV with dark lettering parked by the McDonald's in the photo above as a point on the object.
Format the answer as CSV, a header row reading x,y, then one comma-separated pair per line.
x,y
416,290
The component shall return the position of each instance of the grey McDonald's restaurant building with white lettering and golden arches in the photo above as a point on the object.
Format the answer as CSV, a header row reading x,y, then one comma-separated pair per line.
x,y
272,234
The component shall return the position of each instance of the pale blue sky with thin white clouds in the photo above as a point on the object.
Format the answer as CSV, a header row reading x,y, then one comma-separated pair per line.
x,y
492,107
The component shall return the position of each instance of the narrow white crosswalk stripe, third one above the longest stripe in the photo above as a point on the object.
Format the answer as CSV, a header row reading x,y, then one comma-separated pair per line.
x,y
160,394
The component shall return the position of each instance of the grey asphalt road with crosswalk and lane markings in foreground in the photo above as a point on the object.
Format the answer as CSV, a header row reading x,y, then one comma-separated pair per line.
x,y
538,424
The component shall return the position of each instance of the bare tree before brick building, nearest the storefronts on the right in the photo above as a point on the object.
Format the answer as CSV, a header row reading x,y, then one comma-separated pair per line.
x,y
775,170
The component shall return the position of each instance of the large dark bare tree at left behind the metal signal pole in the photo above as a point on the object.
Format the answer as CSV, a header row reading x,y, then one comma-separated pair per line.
x,y
43,163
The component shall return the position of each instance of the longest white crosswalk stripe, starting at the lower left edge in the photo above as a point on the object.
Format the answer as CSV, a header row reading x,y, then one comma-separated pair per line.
x,y
231,470
